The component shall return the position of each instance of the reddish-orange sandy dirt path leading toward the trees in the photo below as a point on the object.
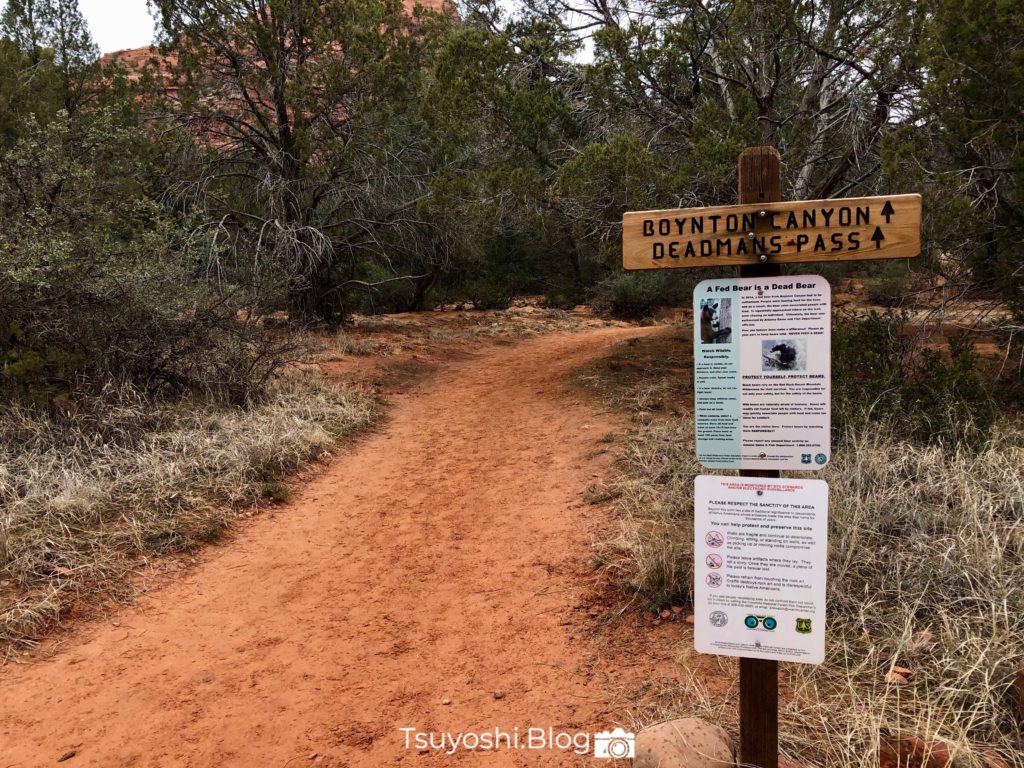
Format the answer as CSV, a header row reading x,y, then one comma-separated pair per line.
x,y
440,561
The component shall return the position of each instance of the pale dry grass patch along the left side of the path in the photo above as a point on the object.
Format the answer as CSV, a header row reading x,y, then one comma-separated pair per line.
x,y
84,500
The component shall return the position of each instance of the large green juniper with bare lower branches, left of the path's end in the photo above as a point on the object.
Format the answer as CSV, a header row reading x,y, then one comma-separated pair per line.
x,y
311,155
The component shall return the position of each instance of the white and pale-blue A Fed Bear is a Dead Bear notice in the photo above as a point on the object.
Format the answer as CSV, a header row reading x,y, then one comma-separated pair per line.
x,y
762,365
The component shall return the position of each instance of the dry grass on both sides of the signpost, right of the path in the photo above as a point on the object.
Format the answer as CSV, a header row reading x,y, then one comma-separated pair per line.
x,y
926,571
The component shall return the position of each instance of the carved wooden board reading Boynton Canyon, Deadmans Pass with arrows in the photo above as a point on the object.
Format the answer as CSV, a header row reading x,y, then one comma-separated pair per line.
x,y
843,230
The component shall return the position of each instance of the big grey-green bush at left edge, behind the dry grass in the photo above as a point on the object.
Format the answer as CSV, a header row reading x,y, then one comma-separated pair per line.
x,y
102,283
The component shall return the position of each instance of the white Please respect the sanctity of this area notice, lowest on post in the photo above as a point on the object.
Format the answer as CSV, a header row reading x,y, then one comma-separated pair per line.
x,y
760,548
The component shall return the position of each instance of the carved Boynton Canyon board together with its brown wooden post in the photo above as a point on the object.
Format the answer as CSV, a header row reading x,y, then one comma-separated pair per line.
x,y
758,237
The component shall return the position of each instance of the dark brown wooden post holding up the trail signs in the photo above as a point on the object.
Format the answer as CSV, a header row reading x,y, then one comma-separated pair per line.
x,y
760,182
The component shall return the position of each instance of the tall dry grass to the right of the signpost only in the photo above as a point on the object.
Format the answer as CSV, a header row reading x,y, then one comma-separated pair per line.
x,y
926,570
